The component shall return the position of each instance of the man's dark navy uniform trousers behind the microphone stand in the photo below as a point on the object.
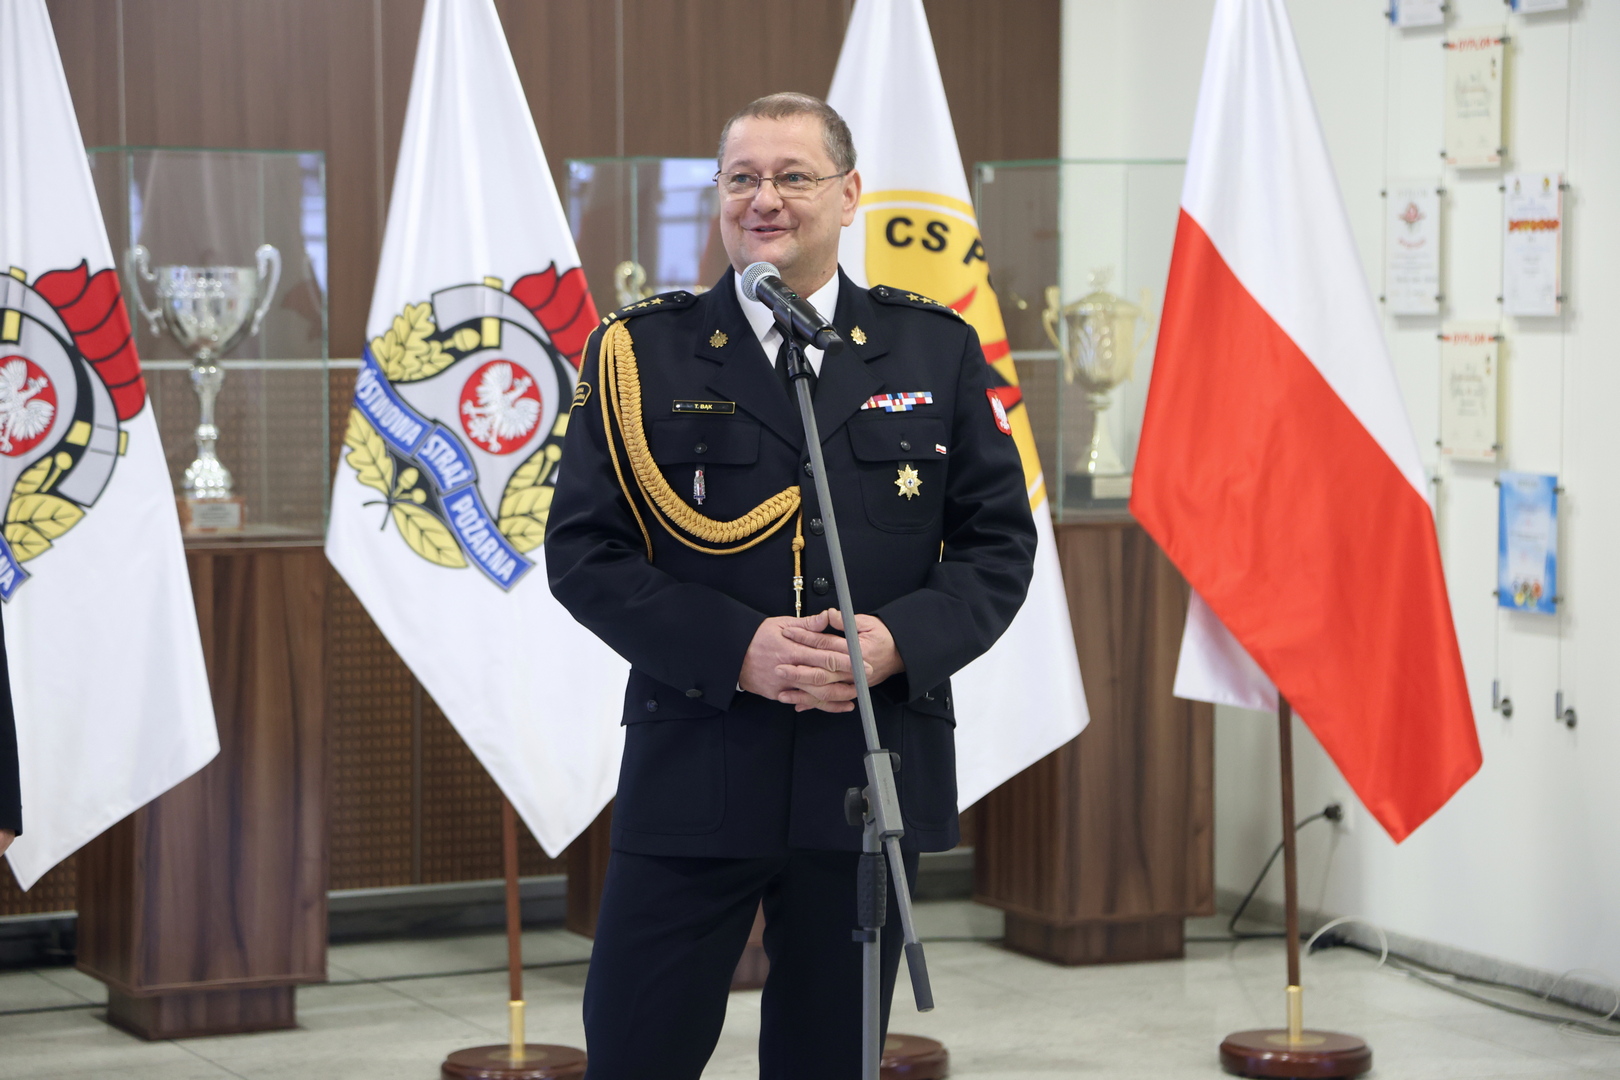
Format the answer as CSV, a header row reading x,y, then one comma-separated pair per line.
x,y
668,940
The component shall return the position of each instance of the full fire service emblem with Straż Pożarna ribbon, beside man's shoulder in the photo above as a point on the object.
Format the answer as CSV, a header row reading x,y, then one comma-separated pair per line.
x,y
459,419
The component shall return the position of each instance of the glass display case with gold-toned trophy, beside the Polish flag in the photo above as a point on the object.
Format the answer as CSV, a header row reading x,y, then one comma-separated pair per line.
x,y
1080,253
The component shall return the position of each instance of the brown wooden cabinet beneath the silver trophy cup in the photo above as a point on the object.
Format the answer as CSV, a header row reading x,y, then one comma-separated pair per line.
x,y
207,908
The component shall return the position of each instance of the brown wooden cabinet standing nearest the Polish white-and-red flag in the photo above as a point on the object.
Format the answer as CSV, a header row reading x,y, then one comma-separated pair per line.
x,y
1099,851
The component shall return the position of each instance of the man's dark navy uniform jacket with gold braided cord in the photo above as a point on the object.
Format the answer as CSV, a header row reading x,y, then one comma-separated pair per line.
x,y
710,770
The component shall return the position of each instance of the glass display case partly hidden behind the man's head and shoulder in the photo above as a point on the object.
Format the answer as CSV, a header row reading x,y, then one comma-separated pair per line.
x,y
646,226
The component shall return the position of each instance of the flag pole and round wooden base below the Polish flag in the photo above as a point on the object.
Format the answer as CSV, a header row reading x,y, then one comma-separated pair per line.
x,y
1294,1052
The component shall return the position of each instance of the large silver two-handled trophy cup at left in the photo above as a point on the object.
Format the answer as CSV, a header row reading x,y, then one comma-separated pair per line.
x,y
208,310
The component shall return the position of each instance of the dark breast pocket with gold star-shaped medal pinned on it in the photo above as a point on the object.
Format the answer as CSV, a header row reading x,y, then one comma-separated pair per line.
x,y
902,469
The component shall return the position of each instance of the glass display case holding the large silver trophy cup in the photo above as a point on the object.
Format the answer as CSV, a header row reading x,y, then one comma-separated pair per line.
x,y
223,258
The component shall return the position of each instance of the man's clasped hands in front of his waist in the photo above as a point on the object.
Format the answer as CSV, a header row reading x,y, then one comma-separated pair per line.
x,y
804,663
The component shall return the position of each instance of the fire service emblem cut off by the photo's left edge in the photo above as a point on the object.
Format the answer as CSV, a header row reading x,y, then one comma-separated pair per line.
x,y
69,378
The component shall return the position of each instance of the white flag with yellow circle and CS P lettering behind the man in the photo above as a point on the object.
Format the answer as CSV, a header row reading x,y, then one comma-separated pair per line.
x,y
916,229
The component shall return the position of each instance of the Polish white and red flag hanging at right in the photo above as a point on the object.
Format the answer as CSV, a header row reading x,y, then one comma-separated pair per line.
x,y
1277,466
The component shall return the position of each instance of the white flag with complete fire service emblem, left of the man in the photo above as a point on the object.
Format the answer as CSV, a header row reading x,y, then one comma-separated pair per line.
x,y
440,504
